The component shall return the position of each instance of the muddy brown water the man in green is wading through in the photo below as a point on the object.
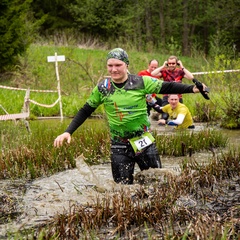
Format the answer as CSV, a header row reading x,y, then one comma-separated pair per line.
x,y
43,198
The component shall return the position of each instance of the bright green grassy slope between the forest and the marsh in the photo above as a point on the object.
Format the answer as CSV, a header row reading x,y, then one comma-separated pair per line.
x,y
83,68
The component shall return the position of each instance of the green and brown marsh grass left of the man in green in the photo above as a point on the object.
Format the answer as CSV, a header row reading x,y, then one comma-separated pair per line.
x,y
31,155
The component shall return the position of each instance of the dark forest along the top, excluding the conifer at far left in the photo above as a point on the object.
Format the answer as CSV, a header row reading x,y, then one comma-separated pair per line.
x,y
145,25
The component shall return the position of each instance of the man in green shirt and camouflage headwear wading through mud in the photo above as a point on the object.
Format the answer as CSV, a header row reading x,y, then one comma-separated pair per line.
x,y
124,98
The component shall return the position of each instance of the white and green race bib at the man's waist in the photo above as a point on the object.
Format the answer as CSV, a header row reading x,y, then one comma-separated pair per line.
x,y
139,143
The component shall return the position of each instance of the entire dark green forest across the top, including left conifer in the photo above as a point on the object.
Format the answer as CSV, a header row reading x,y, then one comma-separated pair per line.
x,y
141,25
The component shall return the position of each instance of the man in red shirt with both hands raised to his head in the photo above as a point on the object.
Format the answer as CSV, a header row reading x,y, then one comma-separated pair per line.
x,y
172,70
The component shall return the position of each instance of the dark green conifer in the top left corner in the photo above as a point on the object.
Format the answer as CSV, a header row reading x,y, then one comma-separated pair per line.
x,y
17,29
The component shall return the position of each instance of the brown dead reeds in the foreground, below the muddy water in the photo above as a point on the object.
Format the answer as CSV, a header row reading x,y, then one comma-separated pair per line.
x,y
200,203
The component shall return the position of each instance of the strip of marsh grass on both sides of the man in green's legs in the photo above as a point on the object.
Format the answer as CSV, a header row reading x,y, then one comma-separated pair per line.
x,y
31,155
